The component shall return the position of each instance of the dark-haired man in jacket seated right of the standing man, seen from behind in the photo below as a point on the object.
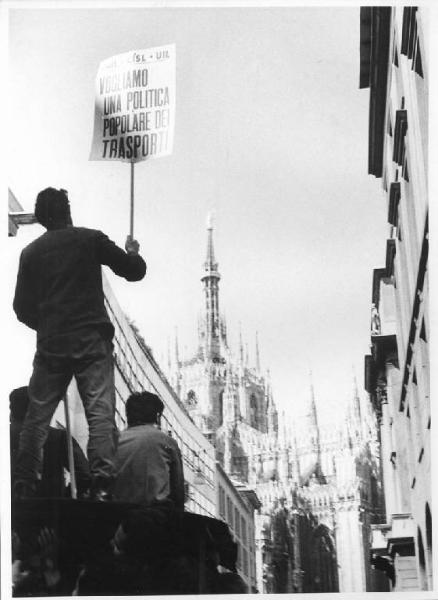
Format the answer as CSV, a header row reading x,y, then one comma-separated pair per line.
x,y
149,472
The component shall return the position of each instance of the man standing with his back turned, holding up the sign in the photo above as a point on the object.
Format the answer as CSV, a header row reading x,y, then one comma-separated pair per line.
x,y
59,294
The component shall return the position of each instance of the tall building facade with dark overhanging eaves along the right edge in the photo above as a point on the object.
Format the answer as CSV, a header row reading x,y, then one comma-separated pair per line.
x,y
394,66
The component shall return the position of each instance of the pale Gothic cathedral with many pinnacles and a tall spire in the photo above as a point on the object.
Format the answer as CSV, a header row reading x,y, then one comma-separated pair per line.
x,y
319,487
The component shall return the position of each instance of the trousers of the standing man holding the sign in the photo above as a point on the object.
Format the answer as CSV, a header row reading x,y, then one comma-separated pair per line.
x,y
86,355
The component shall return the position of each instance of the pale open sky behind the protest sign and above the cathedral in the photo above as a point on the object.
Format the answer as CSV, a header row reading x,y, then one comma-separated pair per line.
x,y
271,133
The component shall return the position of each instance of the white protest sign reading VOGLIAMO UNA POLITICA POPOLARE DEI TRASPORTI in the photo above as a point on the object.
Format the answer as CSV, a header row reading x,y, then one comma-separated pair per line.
x,y
135,105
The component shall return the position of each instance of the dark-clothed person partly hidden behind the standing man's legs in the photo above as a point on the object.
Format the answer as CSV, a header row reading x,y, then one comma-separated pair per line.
x,y
55,452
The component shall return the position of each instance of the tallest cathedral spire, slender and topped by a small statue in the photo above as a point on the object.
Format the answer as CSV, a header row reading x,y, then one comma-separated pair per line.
x,y
210,280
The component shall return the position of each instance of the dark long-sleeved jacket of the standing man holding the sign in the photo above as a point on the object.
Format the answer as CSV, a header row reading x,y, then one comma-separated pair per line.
x,y
59,282
